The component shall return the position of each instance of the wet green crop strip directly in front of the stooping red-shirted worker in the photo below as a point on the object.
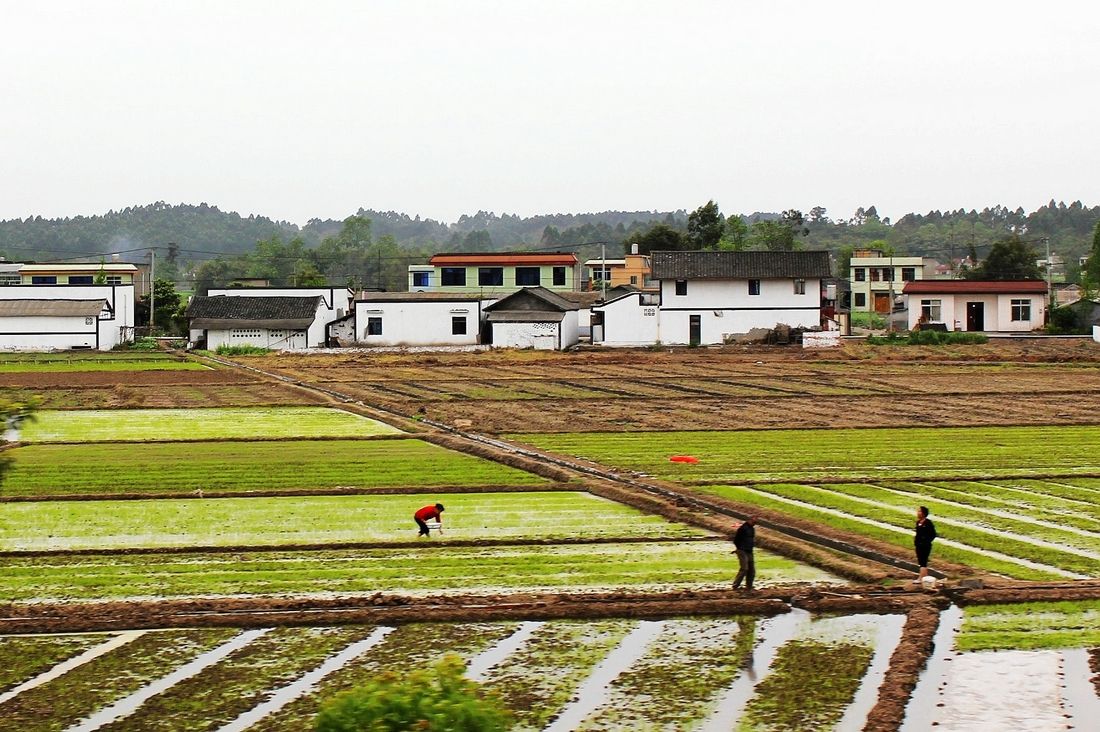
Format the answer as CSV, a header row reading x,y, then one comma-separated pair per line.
x,y
417,571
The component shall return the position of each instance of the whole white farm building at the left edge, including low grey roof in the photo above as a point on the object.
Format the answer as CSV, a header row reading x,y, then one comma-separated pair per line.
x,y
62,318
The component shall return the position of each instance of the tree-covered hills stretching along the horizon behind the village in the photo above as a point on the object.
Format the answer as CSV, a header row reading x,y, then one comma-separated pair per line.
x,y
201,246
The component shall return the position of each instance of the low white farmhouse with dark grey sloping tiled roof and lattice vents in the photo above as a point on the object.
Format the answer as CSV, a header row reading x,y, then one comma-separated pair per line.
x,y
276,322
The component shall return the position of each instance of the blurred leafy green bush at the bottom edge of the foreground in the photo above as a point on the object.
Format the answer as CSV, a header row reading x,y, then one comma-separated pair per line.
x,y
434,700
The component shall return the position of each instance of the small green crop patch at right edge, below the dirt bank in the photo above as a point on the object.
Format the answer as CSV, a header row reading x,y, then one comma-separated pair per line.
x,y
1031,627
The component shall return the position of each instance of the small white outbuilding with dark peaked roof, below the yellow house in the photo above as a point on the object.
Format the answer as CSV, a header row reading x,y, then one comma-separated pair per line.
x,y
534,318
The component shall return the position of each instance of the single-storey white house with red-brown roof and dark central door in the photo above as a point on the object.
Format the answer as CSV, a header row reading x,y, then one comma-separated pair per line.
x,y
980,305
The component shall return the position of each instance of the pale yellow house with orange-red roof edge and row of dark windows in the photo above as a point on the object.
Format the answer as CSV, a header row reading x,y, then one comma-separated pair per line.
x,y
496,274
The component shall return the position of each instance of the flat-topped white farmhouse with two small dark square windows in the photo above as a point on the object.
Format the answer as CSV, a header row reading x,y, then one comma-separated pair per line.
x,y
417,320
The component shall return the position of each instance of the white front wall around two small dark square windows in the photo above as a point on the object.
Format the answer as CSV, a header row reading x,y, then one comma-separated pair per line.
x,y
426,323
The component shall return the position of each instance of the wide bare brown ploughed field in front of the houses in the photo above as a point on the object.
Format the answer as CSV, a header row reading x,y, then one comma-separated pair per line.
x,y
1000,384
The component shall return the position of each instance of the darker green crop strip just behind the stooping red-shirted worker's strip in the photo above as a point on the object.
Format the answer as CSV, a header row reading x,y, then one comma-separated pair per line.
x,y
153,468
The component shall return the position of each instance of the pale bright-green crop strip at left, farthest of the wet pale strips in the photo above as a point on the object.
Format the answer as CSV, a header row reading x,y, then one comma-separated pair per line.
x,y
167,425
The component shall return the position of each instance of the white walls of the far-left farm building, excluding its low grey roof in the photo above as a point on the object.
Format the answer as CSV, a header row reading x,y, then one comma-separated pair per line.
x,y
114,329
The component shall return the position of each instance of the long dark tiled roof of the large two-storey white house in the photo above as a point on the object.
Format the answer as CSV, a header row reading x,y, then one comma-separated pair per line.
x,y
740,266
